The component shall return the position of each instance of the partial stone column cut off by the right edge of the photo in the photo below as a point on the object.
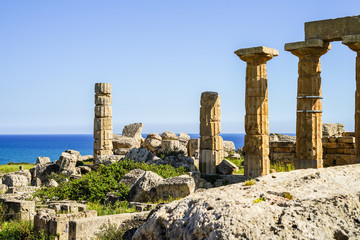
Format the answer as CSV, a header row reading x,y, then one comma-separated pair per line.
x,y
353,42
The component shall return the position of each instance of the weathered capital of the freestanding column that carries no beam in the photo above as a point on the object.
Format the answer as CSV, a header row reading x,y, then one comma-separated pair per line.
x,y
256,54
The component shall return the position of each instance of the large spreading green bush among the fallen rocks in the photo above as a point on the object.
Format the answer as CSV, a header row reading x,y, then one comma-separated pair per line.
x,y
94,186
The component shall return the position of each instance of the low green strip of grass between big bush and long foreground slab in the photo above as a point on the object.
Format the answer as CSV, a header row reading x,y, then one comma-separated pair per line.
x,y
117,208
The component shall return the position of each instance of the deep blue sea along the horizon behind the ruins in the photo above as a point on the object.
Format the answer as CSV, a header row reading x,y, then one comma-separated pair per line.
x,y
26,148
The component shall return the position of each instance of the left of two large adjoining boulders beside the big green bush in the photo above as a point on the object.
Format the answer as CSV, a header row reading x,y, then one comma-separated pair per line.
x,y
140,191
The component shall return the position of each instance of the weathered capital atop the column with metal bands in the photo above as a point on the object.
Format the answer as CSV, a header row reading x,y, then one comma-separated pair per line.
x,y
308,49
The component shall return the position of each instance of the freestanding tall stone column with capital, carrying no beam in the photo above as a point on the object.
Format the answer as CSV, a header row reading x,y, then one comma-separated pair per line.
x,y
256,146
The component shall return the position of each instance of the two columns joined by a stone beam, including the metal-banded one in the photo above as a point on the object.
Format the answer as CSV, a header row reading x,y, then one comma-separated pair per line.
x,y
318,36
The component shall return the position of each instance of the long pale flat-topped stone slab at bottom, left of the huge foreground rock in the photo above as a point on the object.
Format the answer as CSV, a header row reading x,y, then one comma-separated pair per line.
x,y
87,228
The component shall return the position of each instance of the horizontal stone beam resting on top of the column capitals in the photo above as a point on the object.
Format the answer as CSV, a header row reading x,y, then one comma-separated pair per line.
x,y
332,29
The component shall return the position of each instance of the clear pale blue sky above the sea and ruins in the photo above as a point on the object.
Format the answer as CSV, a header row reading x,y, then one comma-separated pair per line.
x,y
159,57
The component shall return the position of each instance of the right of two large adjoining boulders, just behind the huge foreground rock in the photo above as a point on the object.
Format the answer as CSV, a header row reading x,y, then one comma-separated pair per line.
x,y
174,187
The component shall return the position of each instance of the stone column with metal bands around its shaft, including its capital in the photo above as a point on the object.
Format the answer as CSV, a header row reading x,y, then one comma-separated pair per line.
x,y
309,151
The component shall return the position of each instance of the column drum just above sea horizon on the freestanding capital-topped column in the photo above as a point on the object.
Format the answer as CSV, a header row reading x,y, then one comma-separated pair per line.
x,y
257,124
